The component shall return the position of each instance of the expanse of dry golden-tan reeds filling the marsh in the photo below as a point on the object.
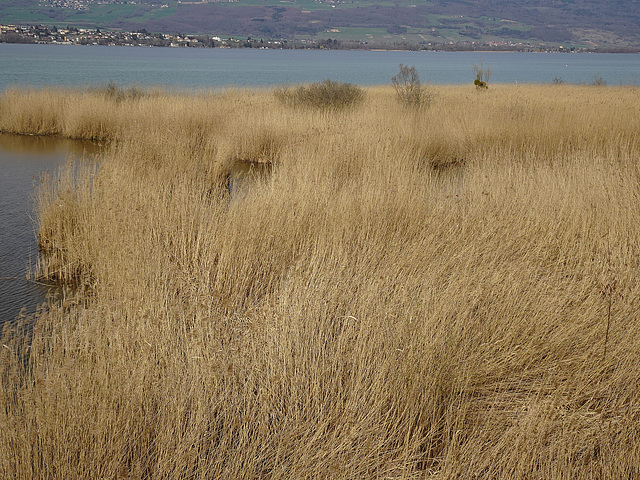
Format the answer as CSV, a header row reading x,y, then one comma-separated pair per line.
x,y
409,294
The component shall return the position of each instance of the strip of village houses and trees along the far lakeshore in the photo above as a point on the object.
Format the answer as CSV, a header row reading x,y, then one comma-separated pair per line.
x,y
69,35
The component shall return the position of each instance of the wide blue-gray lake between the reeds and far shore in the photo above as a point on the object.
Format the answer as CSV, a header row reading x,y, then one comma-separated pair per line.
x,y
70,65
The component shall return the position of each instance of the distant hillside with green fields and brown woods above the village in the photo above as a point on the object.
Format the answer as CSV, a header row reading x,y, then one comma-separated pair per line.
x,y
604,23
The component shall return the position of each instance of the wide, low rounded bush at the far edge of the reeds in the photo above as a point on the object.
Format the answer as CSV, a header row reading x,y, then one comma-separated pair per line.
x,y
324,95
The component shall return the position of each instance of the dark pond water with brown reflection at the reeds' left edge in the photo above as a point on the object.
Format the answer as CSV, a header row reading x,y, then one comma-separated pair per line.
x,y
22,160
